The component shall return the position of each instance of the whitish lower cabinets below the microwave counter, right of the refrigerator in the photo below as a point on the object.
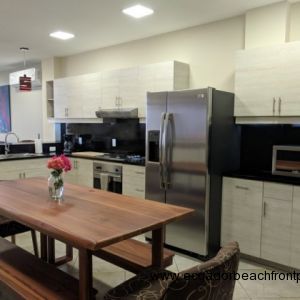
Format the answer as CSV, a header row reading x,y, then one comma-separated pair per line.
x,y
264,218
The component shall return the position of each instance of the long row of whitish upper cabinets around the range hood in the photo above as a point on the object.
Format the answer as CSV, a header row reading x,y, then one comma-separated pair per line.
x,y
80,96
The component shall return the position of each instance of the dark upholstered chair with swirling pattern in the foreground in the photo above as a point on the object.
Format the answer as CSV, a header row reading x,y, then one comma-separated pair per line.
x,y
211,280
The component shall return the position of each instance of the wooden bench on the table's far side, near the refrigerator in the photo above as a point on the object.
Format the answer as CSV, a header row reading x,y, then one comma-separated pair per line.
x,y
132,255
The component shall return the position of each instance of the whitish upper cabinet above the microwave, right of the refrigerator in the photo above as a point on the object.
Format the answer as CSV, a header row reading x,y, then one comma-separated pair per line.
x,y
267,81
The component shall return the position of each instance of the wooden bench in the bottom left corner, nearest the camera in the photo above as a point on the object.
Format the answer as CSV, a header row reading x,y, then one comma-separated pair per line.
x,y
32,278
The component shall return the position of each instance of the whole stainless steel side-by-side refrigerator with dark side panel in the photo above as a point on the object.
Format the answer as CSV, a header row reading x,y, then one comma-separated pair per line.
x,y
191,140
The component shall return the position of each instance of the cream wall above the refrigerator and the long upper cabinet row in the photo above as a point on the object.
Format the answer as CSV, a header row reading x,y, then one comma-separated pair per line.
x,y
209,49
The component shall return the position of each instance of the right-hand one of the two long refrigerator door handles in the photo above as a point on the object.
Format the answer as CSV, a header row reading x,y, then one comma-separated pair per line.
x,y
168,149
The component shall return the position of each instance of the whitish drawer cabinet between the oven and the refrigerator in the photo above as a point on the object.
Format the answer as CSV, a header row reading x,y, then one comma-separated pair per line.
x,y
133,182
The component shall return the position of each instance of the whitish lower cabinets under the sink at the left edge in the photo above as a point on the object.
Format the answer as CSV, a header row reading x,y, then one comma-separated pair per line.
x,y
23,168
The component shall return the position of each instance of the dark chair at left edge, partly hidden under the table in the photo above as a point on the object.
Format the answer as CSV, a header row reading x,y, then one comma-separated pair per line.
x,y
11,228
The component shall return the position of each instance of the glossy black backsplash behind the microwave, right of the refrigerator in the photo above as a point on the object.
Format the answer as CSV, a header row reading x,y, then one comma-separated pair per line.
x,y
257,142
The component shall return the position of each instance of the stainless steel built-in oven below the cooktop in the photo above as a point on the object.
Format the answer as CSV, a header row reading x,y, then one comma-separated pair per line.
x,y
107,177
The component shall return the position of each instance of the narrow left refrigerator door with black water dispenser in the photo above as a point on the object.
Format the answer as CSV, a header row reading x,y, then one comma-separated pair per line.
x,y
156,109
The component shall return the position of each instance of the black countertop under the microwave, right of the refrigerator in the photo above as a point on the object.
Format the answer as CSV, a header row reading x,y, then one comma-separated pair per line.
x,y
263,176
